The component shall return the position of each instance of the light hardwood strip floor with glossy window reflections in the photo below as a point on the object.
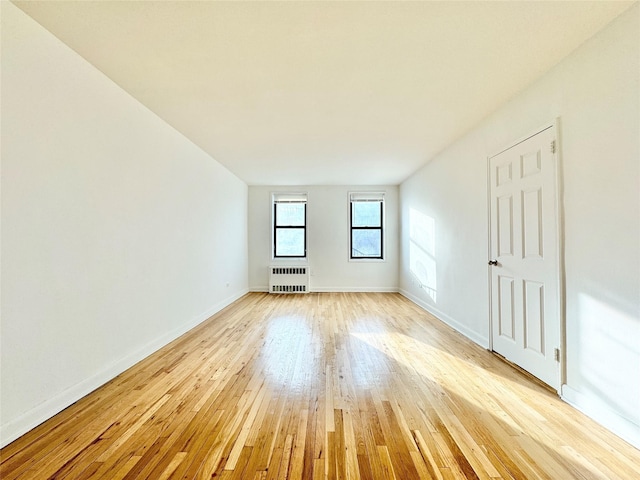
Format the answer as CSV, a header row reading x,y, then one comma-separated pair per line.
x,y
330,385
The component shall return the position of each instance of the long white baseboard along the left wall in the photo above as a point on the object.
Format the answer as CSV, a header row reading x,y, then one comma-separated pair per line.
x,y
17,427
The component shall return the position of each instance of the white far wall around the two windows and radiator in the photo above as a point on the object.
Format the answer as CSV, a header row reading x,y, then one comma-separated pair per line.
x,y
327,240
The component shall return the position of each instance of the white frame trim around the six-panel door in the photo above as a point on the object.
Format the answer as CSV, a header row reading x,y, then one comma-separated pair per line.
x,y
560,259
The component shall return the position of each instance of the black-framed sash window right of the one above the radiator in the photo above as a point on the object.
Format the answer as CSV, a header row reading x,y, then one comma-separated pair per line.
x,y
366,220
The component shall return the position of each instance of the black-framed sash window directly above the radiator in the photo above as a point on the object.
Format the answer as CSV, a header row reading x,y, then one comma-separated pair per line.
x,y
289,225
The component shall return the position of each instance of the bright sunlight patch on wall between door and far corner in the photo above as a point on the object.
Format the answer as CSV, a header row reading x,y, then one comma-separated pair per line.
x,y
422,252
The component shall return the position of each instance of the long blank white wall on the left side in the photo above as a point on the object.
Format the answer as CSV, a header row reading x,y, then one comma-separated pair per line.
x,y
118,234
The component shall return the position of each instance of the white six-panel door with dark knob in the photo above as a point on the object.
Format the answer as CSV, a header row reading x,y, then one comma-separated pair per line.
x,y
525,307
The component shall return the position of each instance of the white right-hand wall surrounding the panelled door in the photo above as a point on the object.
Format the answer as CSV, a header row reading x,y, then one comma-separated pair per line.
x,y
595,92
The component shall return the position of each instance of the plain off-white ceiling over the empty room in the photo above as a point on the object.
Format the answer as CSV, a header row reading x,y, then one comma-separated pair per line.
x,y
313,93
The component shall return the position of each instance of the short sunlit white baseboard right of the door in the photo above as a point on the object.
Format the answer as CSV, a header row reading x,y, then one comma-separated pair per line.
x,y
601,412
